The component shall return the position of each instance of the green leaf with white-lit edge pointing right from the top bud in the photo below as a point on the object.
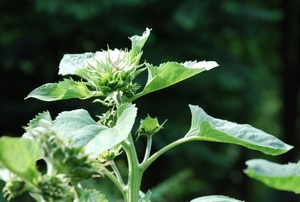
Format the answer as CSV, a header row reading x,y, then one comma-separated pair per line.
x,y
171,73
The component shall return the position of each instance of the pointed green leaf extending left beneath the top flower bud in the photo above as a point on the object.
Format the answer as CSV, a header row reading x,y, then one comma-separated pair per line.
x,y
65,89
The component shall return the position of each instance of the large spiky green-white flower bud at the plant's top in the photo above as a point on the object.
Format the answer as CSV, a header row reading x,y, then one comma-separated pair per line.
x,y
112,71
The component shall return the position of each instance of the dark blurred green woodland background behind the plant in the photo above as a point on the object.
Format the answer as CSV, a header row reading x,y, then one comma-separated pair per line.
x,y
256,44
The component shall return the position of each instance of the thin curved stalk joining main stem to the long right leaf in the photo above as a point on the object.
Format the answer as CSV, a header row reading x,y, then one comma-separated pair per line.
x,y
150,160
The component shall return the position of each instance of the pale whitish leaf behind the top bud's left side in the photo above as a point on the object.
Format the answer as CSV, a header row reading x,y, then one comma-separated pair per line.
x,y
71,63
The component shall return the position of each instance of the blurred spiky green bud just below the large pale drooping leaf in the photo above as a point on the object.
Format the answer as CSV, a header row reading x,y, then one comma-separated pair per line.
x,y
62,157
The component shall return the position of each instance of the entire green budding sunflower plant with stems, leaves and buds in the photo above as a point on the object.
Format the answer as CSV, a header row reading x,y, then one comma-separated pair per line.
x,y
75,147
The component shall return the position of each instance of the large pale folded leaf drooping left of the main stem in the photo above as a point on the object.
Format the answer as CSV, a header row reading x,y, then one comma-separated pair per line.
x,y
84,131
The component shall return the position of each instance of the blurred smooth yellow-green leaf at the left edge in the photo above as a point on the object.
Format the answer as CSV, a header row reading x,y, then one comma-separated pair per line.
x,y
16,156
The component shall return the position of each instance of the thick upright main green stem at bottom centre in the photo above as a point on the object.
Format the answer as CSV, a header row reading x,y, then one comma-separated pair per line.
x,y
134,172
